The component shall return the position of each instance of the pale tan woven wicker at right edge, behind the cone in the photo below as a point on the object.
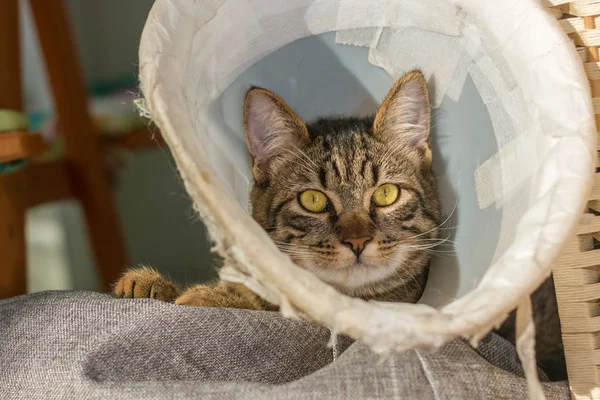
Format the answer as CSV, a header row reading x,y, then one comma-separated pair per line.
x,y
577,273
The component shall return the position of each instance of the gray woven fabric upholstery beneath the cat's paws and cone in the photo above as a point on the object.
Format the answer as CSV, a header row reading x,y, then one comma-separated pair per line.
x,y
86,345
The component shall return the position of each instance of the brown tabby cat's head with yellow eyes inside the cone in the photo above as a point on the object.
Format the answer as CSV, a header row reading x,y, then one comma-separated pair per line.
x,y
352,200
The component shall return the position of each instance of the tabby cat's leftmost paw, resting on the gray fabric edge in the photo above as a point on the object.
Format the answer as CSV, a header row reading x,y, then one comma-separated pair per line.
x,y
145,282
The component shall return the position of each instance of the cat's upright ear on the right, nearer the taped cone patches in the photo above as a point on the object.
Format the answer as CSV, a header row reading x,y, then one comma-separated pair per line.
x,y
404,115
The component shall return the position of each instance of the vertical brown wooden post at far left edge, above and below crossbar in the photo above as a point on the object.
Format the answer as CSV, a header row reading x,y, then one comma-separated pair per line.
x,y
12,191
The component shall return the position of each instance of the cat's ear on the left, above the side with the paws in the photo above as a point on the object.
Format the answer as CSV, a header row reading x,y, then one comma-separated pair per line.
x,y
272,129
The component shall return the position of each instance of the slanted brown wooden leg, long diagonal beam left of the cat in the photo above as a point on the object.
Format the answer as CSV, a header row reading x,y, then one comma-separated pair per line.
x,y
84,157
